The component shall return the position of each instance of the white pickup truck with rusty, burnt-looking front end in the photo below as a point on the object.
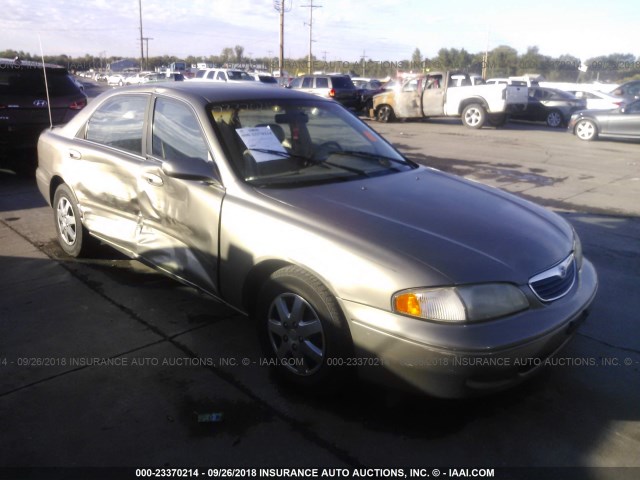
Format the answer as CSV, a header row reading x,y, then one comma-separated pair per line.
x,y
450,94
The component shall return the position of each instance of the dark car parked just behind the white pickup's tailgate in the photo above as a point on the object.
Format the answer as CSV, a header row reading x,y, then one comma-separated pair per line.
x,y
551,106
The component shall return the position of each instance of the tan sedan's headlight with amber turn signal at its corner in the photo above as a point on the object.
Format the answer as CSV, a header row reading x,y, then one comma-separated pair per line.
x,y
471,303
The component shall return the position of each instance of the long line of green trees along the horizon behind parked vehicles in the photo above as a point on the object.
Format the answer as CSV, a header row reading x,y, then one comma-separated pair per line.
x,y
502,61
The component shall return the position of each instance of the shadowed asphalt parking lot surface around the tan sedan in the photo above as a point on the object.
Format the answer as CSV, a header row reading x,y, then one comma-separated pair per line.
x,y
105,363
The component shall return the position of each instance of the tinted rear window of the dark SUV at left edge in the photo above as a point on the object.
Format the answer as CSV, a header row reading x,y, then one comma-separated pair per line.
x,y
30,81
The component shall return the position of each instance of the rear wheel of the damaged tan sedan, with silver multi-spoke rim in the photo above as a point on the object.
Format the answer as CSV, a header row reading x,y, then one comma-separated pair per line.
x,y
72,236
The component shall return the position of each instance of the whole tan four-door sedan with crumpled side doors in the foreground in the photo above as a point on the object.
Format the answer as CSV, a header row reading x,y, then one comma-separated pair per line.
x,y
350,257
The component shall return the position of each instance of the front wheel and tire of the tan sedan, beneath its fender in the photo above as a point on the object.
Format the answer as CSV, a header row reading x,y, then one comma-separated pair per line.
x,y
303,330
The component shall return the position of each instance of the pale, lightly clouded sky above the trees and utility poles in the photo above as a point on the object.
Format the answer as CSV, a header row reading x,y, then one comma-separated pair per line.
x,y
343,30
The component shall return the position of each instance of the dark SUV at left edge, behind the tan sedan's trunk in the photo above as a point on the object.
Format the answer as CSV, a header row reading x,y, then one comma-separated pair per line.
x,y
24,111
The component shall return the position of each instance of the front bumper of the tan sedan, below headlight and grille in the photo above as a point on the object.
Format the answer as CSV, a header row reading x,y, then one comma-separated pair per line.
x,y
455,361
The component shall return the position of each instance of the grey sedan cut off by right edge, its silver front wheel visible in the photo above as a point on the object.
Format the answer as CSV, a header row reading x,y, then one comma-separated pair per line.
x,y
623,122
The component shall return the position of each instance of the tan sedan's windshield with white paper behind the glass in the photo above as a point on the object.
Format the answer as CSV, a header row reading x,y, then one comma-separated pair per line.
x,y
290,143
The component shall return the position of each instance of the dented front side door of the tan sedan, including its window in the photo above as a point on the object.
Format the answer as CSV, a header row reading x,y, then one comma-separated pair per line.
x,y
180,197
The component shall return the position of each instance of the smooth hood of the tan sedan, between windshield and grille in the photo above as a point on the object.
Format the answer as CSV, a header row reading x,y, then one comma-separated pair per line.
x,y
459,231
